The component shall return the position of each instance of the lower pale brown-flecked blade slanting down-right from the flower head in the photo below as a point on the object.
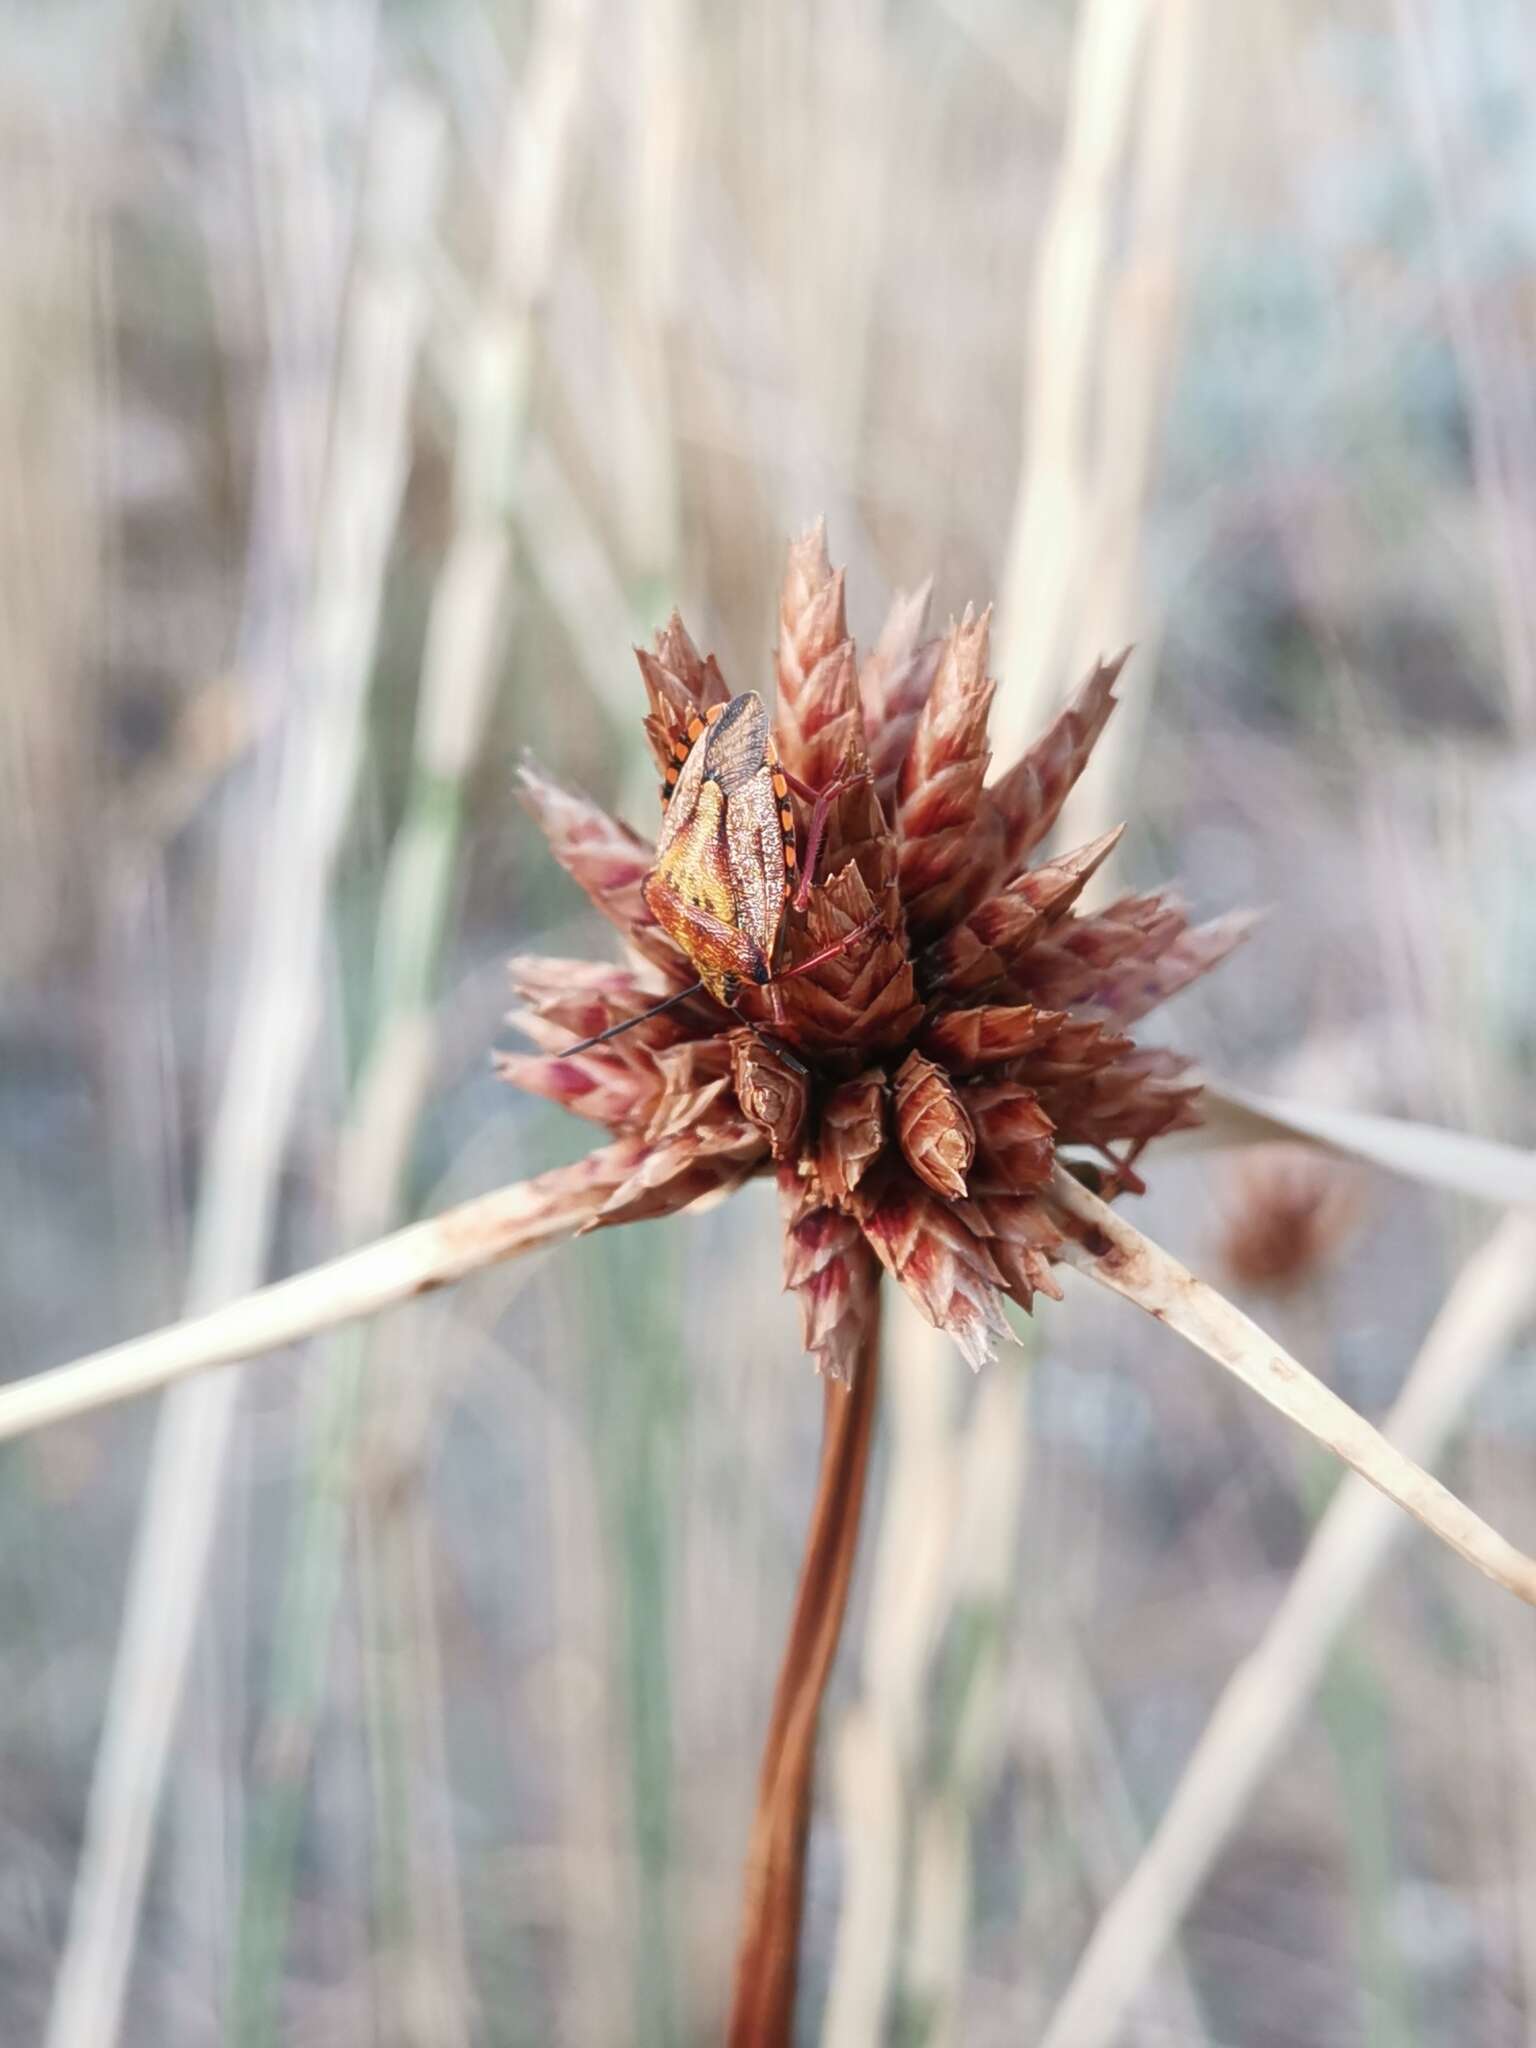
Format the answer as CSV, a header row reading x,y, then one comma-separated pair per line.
x,y
1113,1252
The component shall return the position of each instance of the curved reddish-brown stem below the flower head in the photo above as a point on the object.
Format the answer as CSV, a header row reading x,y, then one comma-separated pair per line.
x,y
767,1959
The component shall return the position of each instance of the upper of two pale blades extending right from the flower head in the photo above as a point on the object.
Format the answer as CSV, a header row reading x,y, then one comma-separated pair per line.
x,y
1451,1160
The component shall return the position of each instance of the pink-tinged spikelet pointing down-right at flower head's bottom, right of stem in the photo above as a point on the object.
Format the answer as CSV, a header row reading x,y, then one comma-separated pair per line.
x,y
929,1250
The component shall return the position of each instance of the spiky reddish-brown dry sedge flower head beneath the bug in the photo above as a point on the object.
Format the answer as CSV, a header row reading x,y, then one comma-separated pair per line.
x,y
910,1093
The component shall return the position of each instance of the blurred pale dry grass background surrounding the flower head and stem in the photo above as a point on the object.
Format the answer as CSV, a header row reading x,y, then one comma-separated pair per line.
x,y
370,380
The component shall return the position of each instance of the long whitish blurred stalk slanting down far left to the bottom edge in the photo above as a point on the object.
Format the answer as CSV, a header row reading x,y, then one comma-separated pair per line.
x,y
275,1021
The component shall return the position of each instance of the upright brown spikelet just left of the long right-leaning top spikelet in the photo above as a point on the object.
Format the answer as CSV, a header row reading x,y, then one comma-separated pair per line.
x,y
939,792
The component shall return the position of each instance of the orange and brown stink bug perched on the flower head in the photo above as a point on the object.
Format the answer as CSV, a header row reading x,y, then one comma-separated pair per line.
x,y
726,859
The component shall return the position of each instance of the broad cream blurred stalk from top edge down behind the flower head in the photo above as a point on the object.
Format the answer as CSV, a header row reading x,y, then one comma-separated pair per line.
x,y
1101,349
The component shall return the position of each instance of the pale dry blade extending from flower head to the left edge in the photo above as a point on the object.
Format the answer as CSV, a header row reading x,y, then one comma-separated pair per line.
x,y
392,1269
